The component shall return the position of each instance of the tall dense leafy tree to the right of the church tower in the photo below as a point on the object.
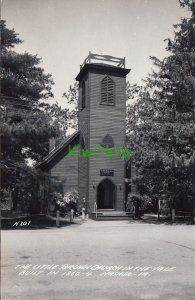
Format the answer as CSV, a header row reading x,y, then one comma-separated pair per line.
x,y
160,125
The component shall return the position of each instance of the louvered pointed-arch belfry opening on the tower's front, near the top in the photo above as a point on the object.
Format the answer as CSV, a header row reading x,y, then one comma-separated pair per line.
x,y
107,91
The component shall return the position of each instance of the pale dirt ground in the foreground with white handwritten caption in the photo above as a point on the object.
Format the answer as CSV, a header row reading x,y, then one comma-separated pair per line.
x,y
99,260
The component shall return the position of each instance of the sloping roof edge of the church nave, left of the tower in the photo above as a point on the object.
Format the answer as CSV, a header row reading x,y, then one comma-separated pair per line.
x,y
59,152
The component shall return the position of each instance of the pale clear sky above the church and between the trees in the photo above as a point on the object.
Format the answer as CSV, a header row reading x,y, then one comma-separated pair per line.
x,y
62,32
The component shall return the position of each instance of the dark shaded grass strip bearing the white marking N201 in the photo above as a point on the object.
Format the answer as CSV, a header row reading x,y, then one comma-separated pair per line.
x,y
32,222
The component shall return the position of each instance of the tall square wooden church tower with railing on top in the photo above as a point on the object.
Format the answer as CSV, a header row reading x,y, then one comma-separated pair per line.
x,y
101,121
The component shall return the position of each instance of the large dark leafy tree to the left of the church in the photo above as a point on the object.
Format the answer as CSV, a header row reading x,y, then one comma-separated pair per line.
x,y
27,120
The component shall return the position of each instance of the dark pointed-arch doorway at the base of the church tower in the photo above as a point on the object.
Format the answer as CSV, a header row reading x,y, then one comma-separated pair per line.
x,y
106,194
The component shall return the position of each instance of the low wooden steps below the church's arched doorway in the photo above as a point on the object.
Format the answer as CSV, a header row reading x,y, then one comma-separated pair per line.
x,y
109,215
